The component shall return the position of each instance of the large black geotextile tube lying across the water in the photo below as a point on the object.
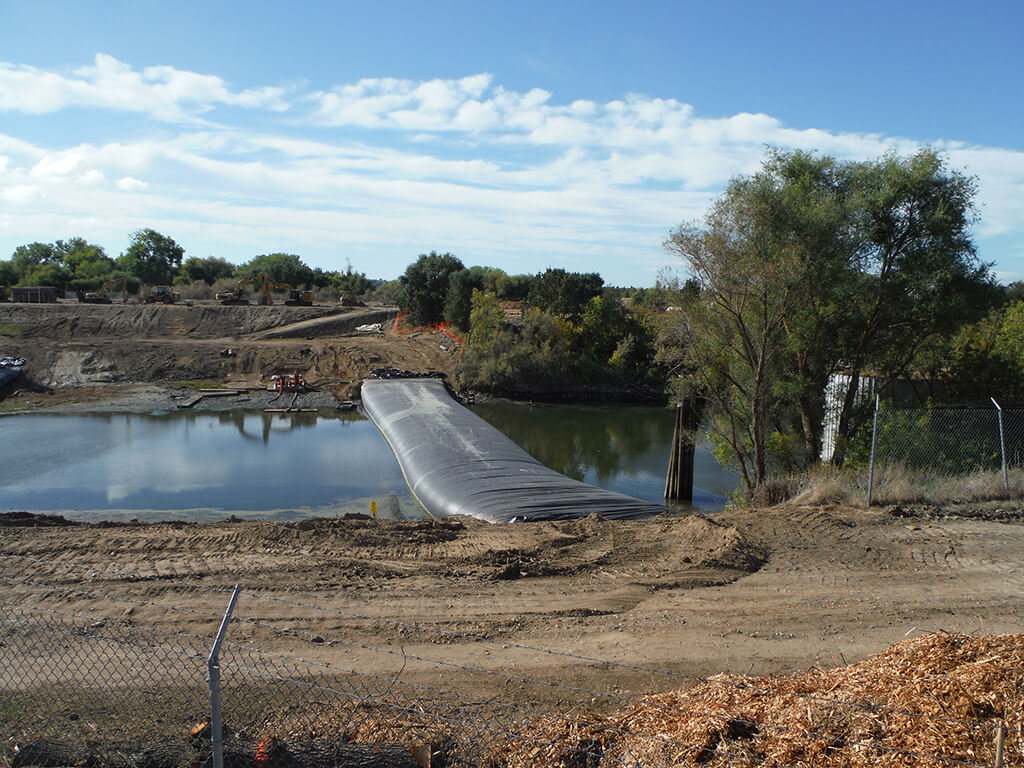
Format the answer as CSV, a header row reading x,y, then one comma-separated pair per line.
x,y
457,464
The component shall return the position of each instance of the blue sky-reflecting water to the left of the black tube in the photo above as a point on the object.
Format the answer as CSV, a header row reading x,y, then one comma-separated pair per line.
x,y
294,465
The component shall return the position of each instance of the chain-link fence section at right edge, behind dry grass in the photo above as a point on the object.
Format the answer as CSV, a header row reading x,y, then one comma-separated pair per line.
x,y
947,455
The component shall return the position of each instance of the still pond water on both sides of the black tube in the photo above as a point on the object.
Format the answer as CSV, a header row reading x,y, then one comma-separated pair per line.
x,y
205,466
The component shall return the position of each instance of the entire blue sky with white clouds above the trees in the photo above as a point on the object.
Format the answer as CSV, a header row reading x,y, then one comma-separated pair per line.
x,y
522,136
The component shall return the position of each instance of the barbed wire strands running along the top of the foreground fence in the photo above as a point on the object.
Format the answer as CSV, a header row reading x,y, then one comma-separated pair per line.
x,y
504,645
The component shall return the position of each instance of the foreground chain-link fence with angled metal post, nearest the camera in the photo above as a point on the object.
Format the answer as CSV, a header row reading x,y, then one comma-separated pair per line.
x,y
94,692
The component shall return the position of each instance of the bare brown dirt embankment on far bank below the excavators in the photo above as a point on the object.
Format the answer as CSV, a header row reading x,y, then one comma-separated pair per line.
x,y
86,353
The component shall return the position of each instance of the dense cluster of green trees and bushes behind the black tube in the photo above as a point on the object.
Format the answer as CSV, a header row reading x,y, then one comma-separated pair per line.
x,y
545,334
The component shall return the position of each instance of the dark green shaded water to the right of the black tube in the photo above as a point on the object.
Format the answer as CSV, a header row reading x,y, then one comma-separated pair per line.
x,y
622,448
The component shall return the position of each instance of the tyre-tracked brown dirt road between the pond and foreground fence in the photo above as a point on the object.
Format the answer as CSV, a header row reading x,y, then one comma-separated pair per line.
x,y
759,591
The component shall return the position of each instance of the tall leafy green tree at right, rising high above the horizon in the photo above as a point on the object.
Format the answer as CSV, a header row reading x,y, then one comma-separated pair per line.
x,y
814,267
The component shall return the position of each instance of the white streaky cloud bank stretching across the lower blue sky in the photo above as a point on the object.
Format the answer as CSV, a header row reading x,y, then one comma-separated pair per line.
x,y
382,169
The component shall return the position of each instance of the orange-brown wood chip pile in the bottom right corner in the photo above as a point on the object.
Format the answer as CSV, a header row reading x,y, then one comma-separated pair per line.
x,y
933,701
